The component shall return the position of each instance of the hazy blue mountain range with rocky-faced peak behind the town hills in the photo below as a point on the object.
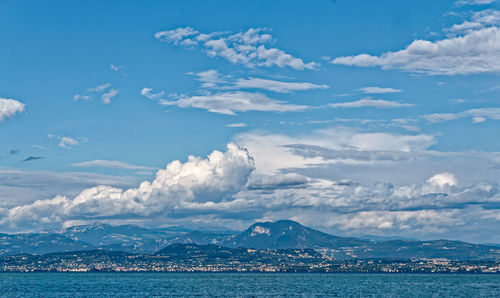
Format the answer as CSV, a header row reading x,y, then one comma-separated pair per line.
x,y
283,234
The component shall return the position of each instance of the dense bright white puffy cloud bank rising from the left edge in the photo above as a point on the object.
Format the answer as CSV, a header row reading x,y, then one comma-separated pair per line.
x,y
197,181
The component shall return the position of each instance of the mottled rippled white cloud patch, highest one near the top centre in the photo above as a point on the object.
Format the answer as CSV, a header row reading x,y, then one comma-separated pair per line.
x,y
246,48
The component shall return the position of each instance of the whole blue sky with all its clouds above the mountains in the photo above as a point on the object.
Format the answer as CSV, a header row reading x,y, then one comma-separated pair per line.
x,y
353,117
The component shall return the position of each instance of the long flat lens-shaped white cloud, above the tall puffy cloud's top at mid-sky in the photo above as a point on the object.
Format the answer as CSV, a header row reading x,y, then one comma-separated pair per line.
x,y
231,102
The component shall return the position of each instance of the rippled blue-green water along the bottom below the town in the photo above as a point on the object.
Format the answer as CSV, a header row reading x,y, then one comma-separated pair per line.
x,y
247,285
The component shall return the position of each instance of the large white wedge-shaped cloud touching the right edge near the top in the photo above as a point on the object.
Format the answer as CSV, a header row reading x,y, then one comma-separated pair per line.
x,y
476,52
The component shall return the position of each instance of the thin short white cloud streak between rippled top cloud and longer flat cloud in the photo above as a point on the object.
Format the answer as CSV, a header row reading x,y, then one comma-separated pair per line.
x,y
276,86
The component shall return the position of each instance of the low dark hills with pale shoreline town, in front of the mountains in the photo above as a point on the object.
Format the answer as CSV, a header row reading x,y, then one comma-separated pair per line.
x,y
211,258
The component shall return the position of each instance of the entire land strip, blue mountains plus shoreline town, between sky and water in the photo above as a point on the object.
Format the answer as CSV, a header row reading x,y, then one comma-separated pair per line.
x,y
282,246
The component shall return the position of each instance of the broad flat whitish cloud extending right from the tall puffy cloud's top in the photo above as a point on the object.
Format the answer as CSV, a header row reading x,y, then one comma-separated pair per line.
x,y
276,152
